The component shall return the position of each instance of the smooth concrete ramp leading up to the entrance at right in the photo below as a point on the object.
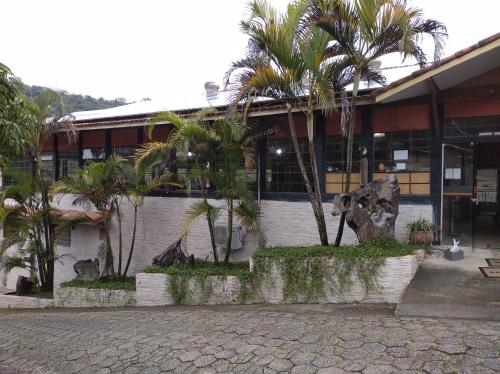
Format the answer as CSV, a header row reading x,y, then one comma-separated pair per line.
x,y
453,289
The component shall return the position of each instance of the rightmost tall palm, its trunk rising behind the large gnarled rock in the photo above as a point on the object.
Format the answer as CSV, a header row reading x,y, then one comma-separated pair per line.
x,y
363,31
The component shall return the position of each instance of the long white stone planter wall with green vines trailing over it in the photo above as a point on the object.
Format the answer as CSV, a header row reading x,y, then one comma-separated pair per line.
x,y
157,289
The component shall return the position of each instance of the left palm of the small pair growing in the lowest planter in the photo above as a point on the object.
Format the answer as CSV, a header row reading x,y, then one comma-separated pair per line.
x,y
97,186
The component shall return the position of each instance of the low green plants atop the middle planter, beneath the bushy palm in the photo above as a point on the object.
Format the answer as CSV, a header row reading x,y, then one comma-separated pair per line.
x,y
203,269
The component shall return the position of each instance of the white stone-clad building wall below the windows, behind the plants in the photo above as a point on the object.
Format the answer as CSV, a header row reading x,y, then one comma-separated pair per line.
x,y
160,223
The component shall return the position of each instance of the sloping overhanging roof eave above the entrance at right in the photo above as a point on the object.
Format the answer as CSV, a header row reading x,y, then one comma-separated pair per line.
x,y
460,67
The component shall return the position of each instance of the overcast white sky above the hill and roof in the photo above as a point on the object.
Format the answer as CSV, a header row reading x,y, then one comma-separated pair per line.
x,y
163,49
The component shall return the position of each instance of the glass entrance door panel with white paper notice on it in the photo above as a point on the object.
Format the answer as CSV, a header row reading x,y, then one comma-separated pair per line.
x,y
458,194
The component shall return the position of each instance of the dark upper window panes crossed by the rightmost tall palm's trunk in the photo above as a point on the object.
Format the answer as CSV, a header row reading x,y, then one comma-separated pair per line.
x,y
336,153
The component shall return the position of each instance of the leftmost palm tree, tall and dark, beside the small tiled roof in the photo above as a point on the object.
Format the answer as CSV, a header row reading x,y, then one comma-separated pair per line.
x,y
39,120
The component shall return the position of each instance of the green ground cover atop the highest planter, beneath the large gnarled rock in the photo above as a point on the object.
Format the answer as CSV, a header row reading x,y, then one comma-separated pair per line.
x,y
380,247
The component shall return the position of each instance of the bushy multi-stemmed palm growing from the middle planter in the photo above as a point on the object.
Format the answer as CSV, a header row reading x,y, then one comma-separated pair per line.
x,y
220,152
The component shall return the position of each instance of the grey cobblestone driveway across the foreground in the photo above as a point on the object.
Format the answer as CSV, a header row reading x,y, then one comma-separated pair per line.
x,y
243,341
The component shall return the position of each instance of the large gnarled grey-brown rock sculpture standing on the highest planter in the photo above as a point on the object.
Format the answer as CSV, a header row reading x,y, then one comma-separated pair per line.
x,y
371,210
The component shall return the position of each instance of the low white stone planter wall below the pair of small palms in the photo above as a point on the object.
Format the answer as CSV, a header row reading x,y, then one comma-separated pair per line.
x,y
84,297
